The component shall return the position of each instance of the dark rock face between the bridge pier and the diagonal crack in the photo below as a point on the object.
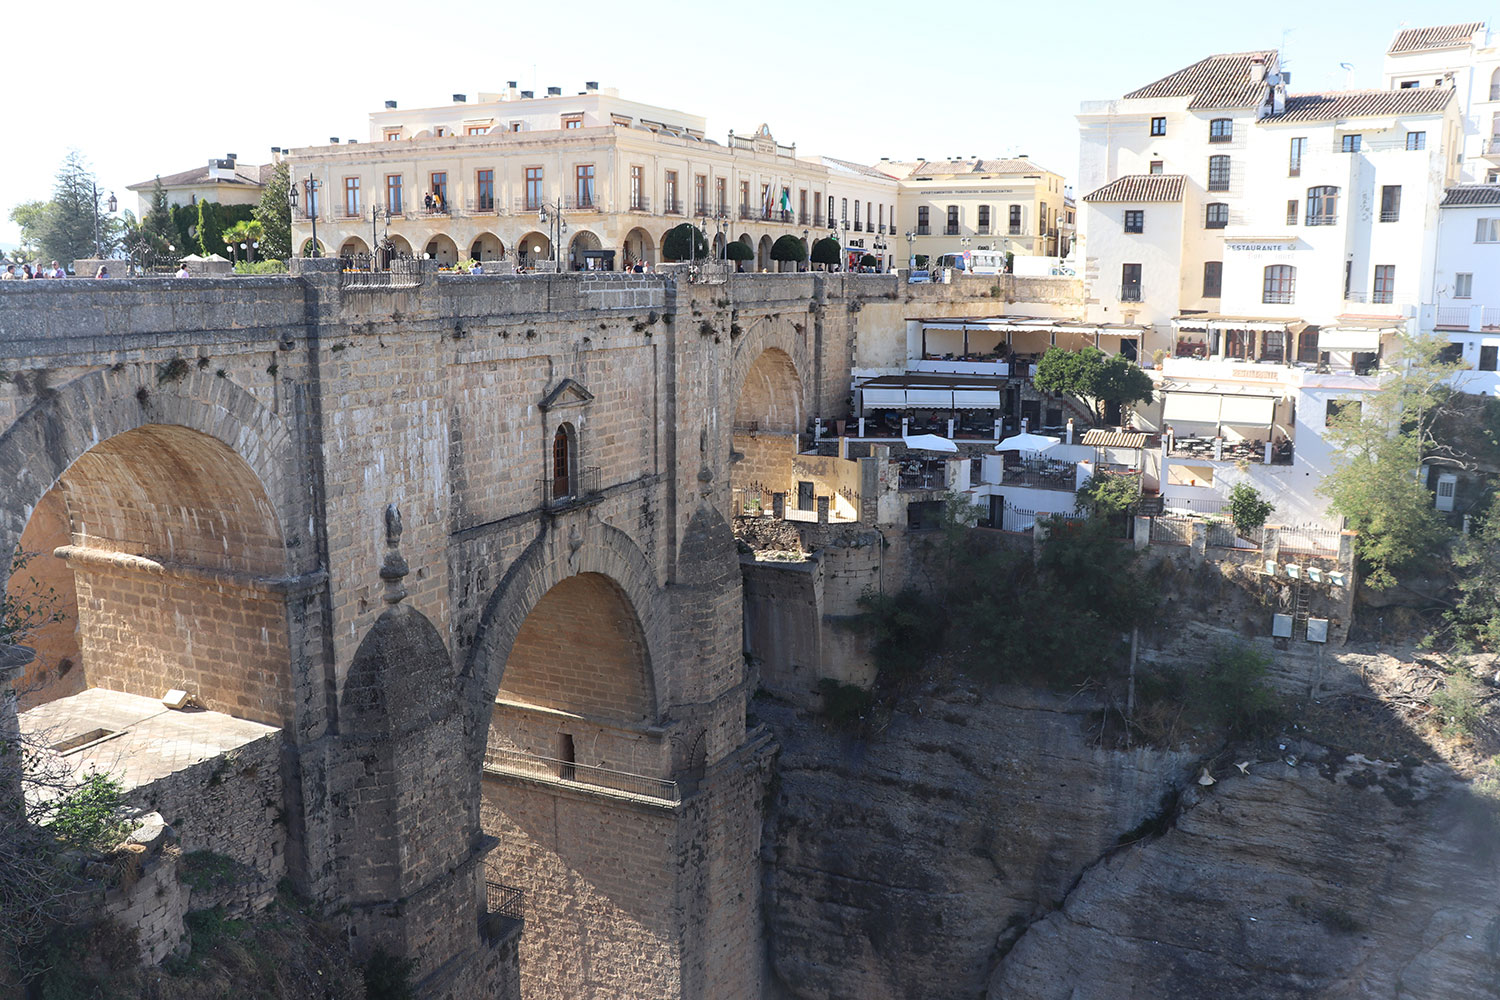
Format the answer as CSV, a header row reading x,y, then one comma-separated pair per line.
x,y
904,866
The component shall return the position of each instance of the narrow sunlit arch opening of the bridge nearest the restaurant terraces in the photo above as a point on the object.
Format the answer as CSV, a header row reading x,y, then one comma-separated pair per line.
x,y
769,416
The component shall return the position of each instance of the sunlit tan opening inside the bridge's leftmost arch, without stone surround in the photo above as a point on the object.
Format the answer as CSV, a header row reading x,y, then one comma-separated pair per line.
x,y
164,542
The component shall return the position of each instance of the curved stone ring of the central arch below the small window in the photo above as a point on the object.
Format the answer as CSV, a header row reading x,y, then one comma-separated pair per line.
x,y
562,552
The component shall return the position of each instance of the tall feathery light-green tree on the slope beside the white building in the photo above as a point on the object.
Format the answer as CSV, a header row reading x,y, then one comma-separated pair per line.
x,y
1381,446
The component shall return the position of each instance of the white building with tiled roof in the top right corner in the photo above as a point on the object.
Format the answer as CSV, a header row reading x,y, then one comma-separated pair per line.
x,y
1465,59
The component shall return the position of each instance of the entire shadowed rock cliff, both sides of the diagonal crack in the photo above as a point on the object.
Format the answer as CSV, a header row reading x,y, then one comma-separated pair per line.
x,y
971,851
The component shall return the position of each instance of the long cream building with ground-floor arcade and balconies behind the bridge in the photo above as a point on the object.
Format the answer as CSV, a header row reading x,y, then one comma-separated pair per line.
x,y
512,175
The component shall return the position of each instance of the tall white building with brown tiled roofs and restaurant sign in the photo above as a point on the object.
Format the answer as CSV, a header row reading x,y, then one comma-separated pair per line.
x,y
1274,244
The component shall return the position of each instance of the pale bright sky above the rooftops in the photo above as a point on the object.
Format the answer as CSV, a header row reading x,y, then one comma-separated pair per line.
x,y
155,89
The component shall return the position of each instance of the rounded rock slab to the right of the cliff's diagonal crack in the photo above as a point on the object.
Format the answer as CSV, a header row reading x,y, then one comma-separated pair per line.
x,y
1330,879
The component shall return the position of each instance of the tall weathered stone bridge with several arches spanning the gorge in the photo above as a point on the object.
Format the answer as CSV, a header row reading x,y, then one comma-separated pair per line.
x,y
535,672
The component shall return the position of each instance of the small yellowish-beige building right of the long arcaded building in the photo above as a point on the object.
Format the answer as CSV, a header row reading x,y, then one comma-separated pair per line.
x,y
979,205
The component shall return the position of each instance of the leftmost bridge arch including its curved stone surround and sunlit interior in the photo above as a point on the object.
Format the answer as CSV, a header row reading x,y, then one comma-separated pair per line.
x,y
169,513
